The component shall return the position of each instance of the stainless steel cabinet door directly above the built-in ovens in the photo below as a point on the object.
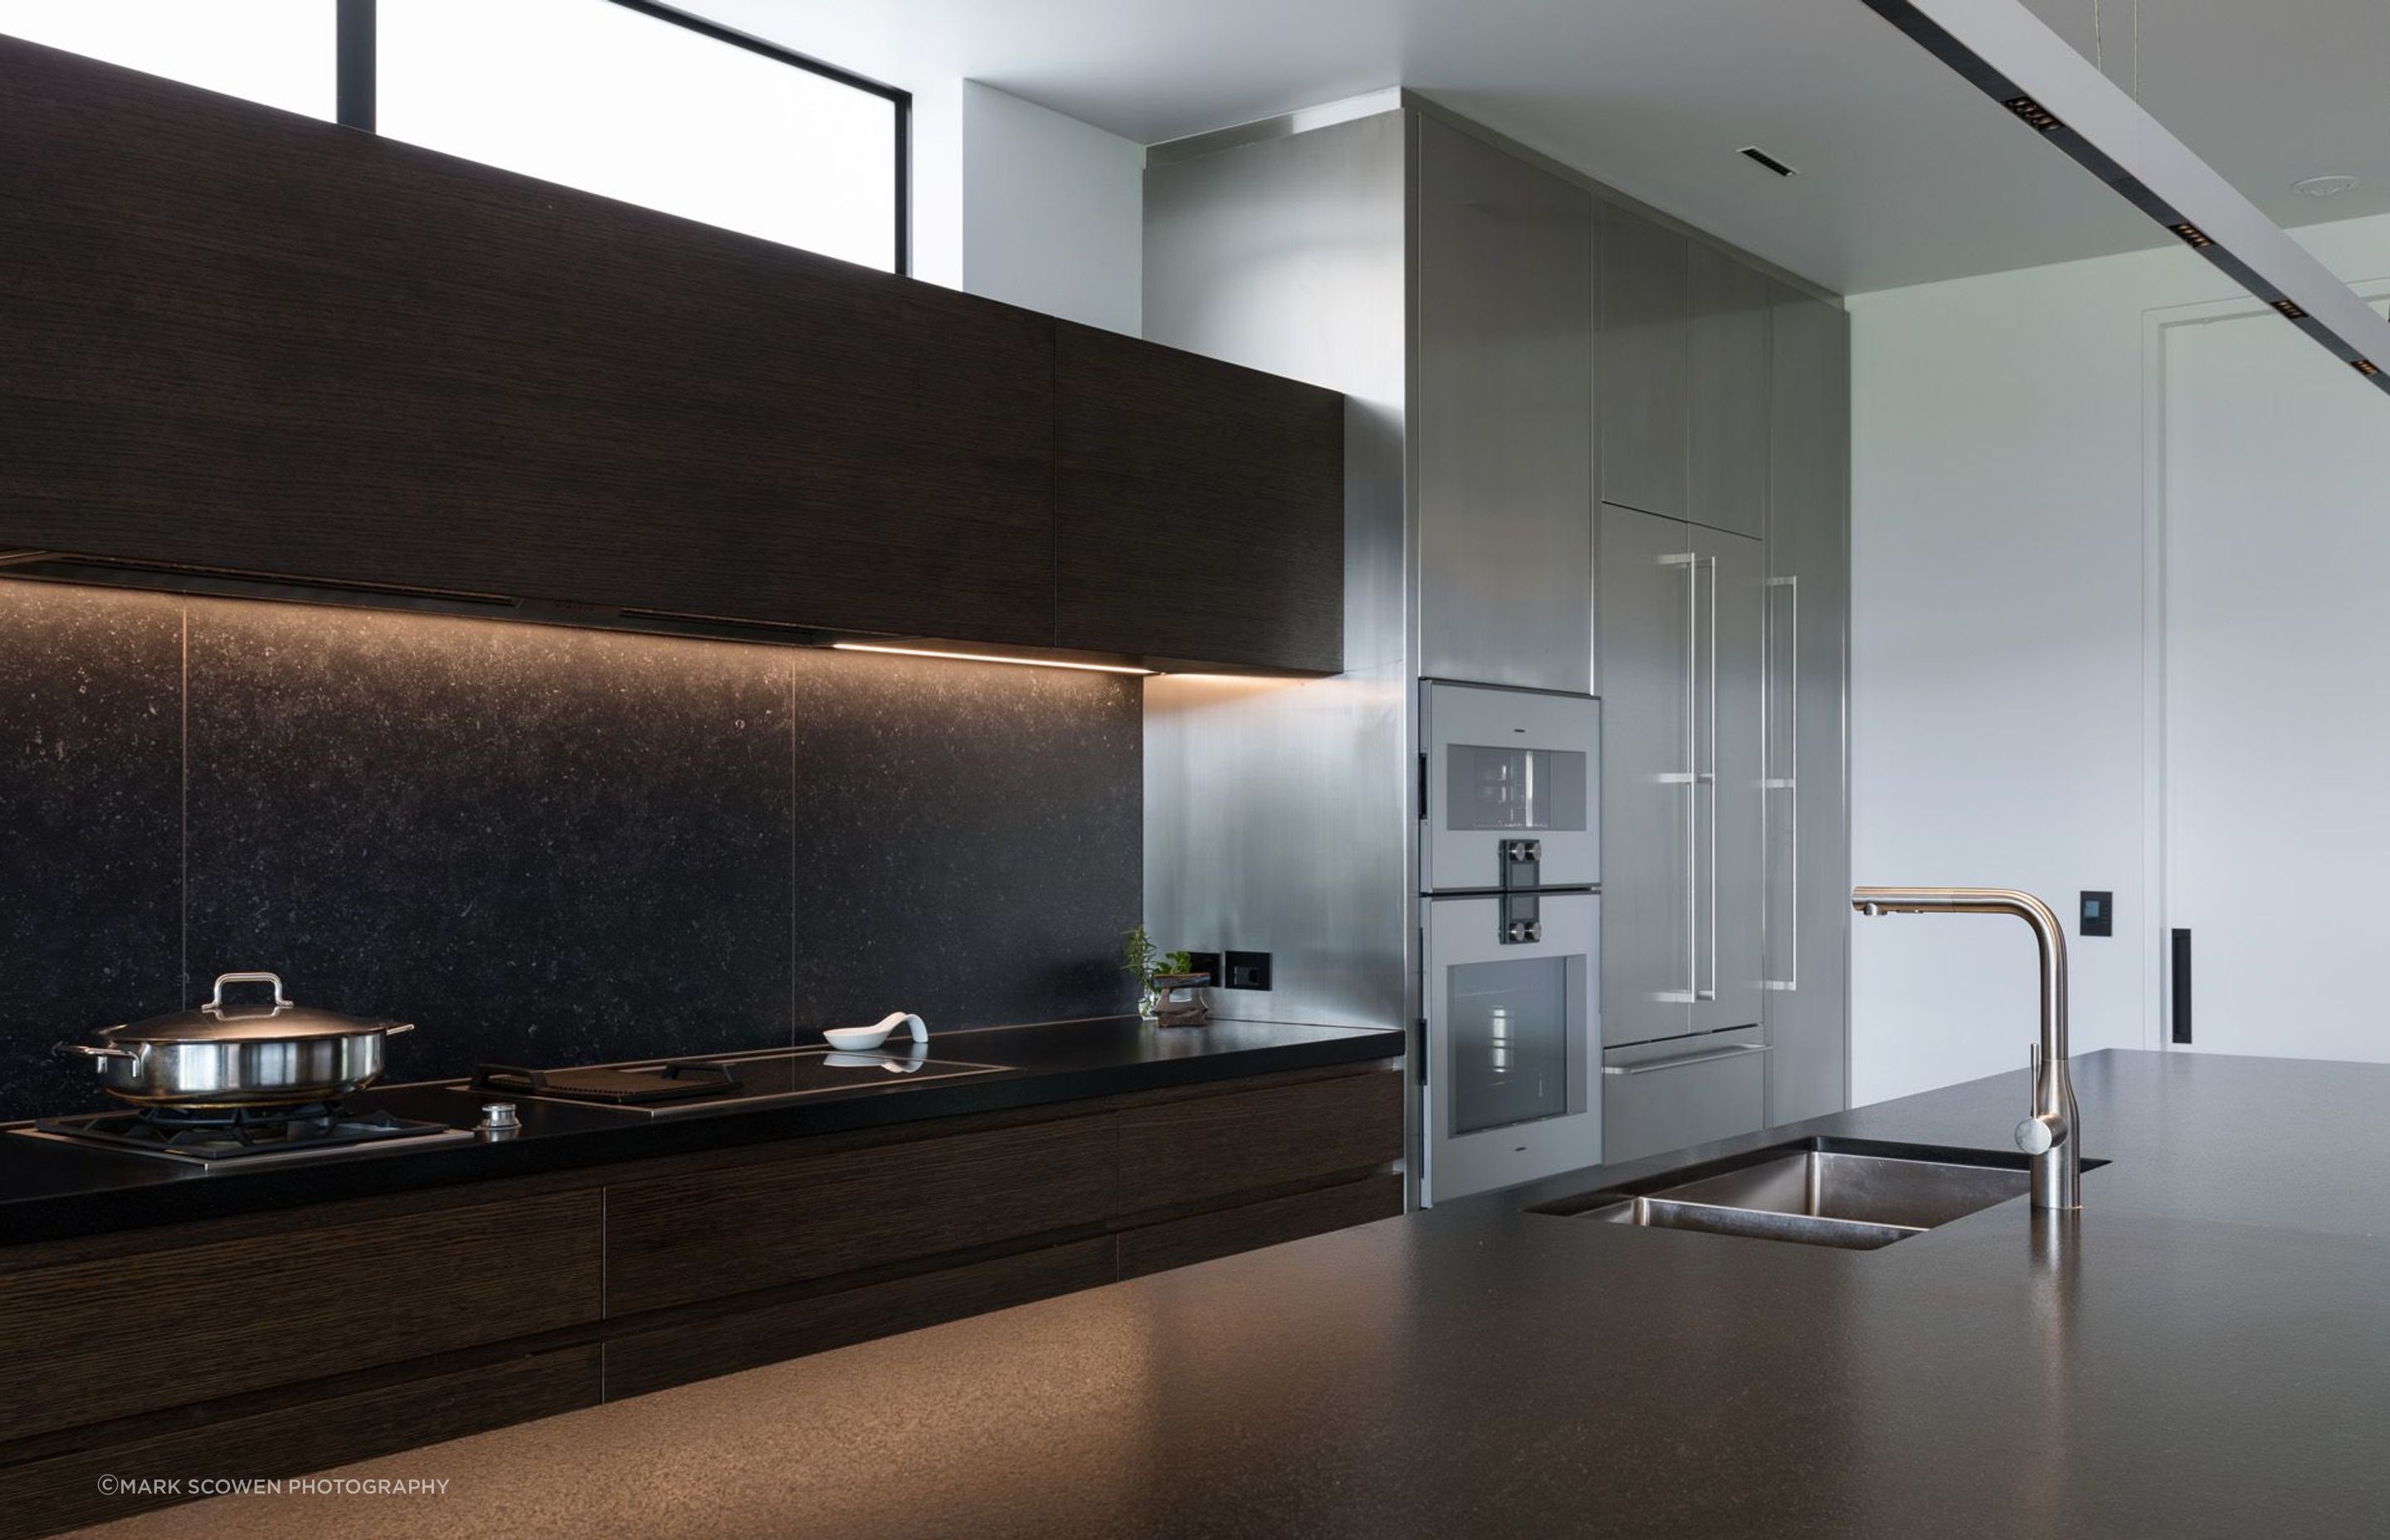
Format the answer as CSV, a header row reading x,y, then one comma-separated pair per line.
x,y
1502,417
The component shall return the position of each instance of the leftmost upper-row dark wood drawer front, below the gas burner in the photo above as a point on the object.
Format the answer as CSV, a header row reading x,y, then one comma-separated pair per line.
x,y
164,1328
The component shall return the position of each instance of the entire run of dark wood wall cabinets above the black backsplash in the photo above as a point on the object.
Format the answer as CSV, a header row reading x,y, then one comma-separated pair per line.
x,y
264,346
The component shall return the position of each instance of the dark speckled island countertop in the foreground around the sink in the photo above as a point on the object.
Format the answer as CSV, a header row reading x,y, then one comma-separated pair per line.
x,y
2205,1352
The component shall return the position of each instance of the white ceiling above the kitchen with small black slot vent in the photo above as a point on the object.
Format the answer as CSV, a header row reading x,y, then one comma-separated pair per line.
x,y
1908,176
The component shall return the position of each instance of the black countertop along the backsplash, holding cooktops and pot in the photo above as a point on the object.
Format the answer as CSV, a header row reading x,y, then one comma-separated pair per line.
x,y
51,1190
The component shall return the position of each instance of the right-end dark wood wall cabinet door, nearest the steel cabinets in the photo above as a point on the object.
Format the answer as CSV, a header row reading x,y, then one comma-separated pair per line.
x,y
1199,508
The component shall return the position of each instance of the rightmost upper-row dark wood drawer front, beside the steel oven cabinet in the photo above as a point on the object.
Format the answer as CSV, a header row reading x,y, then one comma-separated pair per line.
x,y
1258,1139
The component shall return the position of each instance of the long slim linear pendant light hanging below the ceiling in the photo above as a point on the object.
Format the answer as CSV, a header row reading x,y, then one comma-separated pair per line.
x,y
2011,56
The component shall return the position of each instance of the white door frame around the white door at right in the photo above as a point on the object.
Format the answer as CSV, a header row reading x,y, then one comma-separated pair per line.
x,y
2157,324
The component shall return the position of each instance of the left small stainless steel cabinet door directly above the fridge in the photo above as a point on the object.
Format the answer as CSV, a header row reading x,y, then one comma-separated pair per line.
x,y
1646,365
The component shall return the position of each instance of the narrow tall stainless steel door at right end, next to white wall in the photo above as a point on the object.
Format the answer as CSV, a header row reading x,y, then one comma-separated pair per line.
x,y
1808,656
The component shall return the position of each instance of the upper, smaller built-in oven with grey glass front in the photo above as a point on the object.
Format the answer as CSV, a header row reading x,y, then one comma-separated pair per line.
x,y
1509,766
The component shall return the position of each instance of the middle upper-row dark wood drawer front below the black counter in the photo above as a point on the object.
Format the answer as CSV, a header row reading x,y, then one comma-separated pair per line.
x,y
733,1230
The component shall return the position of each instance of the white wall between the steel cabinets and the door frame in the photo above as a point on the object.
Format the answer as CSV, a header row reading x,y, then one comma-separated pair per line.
x,y
1997,642
